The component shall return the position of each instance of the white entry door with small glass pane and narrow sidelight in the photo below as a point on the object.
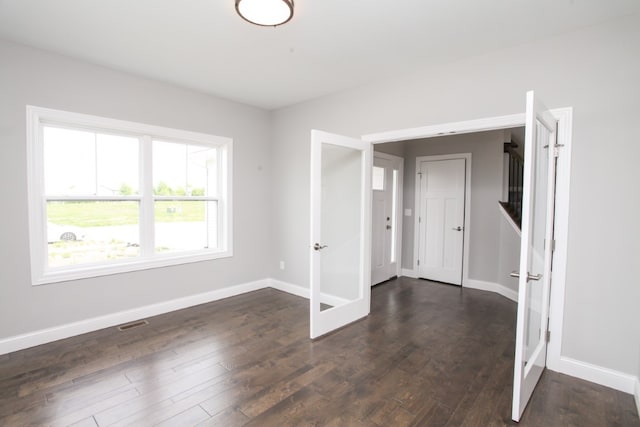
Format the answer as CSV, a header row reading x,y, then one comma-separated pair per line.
x,y
385,184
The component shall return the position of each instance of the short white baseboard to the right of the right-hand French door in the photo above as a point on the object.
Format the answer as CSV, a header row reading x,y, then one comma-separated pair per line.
x,y
597,374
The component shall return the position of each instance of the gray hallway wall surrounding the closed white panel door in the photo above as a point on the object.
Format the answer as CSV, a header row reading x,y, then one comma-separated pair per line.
x,y
486,190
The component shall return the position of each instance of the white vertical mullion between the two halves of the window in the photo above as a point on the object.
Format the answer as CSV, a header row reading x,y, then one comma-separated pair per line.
x,y
147,235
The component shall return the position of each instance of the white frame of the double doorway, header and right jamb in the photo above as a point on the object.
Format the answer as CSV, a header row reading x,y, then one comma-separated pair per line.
x,y
555,361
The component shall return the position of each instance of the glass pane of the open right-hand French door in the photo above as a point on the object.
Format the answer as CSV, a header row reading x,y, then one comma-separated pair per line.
x,y
533,332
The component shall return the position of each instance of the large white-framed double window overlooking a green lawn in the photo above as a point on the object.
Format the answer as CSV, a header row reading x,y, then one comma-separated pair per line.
x,y
108,196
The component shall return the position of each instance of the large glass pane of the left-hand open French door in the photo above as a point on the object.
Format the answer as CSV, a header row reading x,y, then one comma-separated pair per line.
x,y
341,193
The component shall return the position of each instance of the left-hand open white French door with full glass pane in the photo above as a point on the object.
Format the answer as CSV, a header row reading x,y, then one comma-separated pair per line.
x,y
340,231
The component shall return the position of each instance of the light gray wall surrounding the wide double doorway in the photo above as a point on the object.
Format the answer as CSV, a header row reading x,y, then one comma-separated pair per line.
x,y
596,71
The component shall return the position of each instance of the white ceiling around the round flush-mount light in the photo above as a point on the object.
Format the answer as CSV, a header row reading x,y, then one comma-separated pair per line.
x,y
330,45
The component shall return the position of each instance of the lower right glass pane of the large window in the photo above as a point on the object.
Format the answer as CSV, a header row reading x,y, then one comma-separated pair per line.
x,y
183,225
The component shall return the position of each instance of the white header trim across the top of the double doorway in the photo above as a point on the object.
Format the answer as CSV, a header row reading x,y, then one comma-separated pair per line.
x,y
469,126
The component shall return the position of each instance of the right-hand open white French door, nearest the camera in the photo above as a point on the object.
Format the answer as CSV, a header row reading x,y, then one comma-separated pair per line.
x,y
535,252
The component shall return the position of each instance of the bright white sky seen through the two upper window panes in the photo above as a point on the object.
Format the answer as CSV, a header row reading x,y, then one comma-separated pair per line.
x,y
79,162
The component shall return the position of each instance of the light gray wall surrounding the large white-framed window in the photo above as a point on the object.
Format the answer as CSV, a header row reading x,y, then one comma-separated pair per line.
x,y
29,76
